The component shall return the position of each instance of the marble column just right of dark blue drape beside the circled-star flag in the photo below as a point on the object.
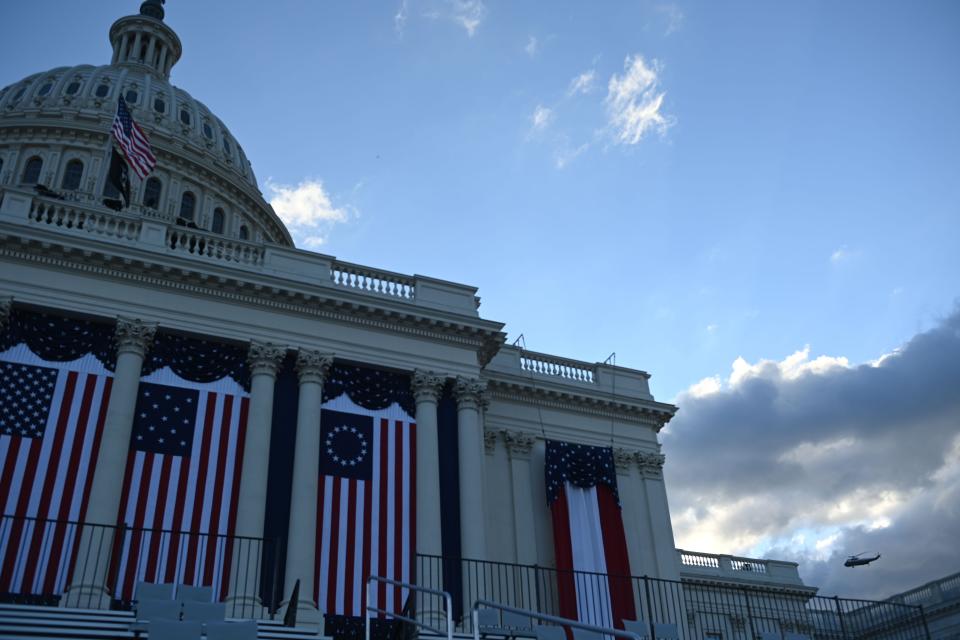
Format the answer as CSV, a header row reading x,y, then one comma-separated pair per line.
x,y
473,543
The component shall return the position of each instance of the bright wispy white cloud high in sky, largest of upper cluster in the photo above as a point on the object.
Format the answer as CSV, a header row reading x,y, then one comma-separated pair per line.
x,y
634,102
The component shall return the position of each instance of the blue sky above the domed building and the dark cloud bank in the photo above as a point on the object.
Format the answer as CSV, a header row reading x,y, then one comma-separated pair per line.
x,y
683,183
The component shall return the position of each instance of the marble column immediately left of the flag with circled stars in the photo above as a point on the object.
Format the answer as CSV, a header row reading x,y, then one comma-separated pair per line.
x,y
312,367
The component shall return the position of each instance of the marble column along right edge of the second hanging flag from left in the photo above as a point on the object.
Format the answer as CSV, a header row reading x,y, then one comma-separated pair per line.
x,y
264,359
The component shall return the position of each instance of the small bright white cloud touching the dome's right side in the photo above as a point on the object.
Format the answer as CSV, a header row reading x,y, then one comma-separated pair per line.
x,y
307,210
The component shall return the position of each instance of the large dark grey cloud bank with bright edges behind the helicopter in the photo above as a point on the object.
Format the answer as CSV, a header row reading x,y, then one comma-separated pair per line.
x,y
869,454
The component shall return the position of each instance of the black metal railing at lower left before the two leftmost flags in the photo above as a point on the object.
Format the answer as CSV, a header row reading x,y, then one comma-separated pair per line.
x,y
97,566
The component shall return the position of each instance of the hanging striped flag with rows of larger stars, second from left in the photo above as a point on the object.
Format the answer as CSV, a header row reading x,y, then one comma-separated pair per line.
x,y
181,485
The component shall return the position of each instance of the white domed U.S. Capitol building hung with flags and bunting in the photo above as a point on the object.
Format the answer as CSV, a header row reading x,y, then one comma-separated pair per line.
x,y
220,408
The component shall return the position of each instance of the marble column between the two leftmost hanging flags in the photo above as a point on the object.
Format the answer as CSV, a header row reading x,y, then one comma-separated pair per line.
x,y
89,586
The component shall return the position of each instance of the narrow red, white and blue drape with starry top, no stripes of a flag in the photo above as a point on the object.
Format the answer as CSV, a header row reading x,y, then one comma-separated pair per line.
x,y
593,568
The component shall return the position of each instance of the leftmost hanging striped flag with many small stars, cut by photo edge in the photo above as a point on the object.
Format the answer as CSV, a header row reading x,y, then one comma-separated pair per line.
x,y
51,422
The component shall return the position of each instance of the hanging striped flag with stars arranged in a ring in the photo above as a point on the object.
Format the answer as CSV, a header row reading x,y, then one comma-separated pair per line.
x,y
366,516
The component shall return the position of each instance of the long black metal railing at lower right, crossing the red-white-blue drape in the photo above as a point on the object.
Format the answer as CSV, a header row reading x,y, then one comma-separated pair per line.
x,y
699,609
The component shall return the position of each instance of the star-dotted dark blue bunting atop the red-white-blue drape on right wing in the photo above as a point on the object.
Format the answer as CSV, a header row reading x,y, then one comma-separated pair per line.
x,y
581,465
